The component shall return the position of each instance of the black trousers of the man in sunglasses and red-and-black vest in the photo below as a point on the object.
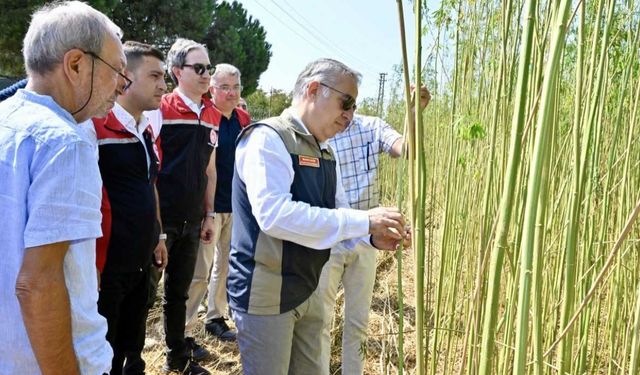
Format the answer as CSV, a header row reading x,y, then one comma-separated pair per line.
x,y
182,242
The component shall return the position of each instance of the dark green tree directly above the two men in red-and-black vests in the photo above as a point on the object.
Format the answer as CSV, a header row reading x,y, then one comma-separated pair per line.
x,y
160,22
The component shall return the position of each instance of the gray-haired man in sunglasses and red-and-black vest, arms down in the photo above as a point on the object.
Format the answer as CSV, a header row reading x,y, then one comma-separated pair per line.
x,y
186,186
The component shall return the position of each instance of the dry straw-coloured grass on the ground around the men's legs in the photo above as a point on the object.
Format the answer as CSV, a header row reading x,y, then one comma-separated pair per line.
x,y
381,349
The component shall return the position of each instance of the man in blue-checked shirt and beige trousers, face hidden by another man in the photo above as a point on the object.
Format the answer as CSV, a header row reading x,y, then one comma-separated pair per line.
x,y
358,148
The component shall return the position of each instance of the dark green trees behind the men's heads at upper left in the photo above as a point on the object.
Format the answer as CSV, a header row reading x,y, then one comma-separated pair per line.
x,y
230,34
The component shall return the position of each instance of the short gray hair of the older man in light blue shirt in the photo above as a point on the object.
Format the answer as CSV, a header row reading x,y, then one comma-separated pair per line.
x,y
59,27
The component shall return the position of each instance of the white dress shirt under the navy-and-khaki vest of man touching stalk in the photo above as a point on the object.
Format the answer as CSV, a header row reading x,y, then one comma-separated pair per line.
x,y
264,165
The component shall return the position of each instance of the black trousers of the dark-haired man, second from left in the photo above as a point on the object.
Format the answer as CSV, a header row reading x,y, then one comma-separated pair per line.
x,y
123,302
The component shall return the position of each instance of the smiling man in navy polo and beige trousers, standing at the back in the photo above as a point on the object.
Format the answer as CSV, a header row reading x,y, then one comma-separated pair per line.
x,y
213,258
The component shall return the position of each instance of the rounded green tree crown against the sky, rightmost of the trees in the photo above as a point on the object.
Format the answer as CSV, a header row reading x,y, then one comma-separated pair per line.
x,y
238,39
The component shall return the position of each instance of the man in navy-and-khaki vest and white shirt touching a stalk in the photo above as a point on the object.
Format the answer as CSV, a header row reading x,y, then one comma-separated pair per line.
x,y
289,210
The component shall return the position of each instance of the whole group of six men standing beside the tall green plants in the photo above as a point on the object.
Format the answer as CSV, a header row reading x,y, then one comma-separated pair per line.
x,y
110,184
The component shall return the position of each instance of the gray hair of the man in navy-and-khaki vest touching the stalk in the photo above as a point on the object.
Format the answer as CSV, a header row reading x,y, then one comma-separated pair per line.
x,y
322,70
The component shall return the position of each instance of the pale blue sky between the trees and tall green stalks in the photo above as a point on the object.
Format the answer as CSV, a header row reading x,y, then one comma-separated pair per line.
x,y
365,35
